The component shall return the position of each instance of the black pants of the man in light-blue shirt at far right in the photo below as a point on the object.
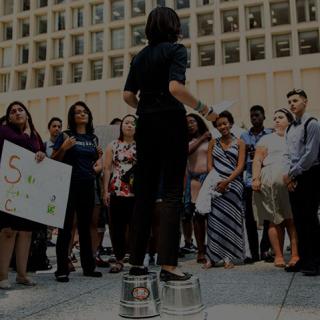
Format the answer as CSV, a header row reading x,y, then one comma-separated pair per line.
x,y
305,203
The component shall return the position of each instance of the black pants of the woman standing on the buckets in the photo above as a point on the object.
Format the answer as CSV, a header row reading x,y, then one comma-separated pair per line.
x,y
162,150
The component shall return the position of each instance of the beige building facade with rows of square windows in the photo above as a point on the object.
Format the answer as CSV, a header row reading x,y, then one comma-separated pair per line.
x,y
55,52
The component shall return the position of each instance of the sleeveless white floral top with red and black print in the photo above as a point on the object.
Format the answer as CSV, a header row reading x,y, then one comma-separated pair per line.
x,y
124,158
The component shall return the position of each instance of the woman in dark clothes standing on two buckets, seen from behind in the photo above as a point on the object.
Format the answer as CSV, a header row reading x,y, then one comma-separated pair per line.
x,y
157,72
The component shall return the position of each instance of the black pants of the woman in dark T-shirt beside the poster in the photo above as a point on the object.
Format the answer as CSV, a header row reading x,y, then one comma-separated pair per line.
x,y
81,203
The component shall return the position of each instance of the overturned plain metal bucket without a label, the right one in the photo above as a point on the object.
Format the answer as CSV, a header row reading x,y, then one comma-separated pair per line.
x,y
182,300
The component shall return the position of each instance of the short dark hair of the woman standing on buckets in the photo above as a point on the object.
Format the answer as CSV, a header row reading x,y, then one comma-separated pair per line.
x,y
163,25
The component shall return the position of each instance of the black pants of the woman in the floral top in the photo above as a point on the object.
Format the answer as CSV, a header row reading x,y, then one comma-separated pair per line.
x,y
121,210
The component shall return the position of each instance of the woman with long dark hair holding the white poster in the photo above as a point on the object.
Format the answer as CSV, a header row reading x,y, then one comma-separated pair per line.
x,y
15,231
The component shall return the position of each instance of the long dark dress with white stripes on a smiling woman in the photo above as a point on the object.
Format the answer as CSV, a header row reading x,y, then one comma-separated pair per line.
x,y
225,221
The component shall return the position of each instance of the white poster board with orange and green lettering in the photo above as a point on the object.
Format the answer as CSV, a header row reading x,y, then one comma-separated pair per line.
x,y
31,190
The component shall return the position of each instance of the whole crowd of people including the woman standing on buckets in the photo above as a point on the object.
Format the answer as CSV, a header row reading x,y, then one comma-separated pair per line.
x,y
151,176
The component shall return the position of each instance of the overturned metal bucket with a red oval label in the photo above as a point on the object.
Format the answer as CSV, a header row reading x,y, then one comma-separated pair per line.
x,y
140,296
